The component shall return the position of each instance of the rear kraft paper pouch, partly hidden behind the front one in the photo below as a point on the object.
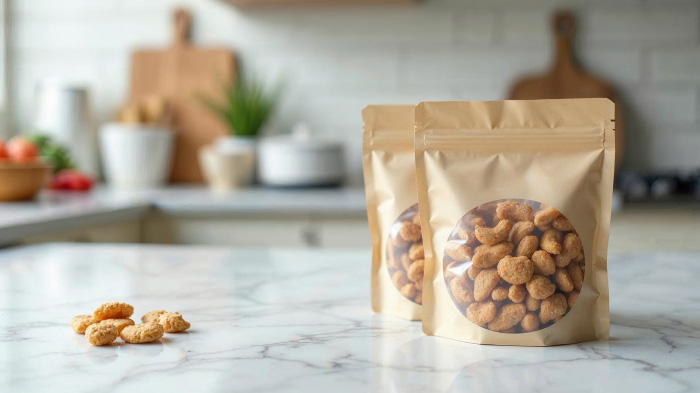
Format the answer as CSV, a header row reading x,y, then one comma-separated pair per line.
x,y
392,210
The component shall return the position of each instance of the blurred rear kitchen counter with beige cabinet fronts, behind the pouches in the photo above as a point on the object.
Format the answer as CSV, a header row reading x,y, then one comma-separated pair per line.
x,y
311,217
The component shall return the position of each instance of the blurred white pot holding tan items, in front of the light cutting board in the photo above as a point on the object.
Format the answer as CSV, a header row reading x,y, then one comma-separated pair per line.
x,y
136,156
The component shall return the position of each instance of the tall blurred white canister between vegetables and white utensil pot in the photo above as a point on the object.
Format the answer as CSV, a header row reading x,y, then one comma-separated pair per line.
x,y
63,112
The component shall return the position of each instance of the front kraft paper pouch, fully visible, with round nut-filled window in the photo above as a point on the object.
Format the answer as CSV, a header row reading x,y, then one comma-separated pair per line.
x,y
515,201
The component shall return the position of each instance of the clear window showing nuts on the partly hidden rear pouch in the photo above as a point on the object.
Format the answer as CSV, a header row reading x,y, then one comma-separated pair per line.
x,y
404,255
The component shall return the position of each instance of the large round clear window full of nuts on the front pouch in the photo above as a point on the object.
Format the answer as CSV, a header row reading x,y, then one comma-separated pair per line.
x,y
514,266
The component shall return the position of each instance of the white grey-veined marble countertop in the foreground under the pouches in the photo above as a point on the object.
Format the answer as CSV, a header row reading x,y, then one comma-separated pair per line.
x,y
290,320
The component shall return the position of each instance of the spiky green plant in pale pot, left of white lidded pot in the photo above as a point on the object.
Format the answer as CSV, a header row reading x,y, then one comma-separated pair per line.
x,y
246,107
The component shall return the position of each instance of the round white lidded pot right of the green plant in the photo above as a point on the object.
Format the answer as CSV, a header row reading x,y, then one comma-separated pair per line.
x,y
300,160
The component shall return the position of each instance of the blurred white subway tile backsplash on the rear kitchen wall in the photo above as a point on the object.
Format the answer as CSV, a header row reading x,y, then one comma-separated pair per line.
x,y
336,60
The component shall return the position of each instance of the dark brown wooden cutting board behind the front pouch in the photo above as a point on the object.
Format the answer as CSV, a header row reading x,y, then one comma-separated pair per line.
x,y
566,79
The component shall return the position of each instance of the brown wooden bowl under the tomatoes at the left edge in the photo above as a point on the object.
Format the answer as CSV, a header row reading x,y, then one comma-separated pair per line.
x,y
22,181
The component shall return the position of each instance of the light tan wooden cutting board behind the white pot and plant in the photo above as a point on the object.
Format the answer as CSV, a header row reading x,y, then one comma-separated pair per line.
x,y
180,74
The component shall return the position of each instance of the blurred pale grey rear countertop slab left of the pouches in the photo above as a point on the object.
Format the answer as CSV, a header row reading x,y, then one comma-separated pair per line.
x,y
57,211
